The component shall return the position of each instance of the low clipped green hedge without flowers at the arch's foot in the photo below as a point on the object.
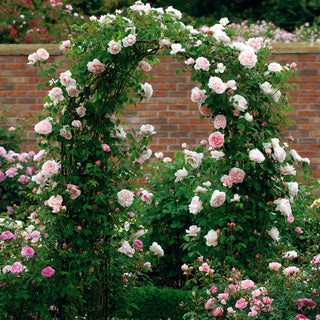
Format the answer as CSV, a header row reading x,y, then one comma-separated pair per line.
x,y
156,303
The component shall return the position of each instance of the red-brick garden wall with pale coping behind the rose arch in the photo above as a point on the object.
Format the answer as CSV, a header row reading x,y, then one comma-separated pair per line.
x,y
170,110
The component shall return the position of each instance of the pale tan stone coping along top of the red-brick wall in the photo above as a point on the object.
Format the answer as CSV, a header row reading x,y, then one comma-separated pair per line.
x,y
53,49
